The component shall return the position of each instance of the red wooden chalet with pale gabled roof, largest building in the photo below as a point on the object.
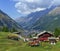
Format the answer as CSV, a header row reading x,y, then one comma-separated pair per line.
x,y
43,36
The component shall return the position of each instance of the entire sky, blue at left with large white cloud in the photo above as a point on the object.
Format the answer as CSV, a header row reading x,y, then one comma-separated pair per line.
x,y
18,8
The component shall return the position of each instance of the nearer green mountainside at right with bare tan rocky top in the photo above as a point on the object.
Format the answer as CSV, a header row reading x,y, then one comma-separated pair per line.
x,y
48,22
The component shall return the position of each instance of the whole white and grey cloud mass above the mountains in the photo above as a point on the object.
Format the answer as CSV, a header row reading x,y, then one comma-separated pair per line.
x,y
29,6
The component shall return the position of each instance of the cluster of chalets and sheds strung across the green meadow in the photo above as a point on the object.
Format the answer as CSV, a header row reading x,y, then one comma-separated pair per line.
x,y
45,36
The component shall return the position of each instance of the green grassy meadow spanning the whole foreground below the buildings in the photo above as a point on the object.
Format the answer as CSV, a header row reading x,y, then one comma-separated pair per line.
x,y
11,45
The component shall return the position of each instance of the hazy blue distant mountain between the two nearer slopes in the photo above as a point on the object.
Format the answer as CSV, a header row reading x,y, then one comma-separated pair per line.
x,y
30,19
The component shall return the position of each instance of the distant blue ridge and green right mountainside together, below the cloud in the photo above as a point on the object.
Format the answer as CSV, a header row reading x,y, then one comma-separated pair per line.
x,y
42,20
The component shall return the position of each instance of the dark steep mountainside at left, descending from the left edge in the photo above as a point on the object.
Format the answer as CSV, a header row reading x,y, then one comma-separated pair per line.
x,y
7,21
